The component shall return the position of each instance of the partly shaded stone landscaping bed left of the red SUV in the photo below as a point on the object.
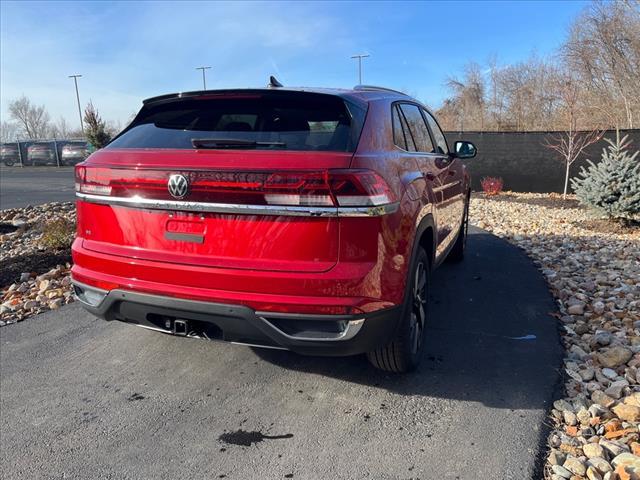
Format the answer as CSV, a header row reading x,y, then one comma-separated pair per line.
x,y
34,260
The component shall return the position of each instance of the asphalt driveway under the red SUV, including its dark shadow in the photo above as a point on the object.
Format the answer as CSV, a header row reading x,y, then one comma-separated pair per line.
x,y
84,398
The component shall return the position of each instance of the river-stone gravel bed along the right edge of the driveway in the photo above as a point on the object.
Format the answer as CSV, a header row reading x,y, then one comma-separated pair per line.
x,y
594,274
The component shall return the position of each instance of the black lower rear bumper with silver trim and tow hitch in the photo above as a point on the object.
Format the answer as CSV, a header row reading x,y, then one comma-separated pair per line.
x,y
332,335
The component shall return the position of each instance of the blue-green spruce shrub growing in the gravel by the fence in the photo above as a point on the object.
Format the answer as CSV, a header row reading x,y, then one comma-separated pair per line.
x,y
612,186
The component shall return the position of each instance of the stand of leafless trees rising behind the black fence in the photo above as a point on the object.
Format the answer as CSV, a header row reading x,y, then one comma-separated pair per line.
x,y
601,54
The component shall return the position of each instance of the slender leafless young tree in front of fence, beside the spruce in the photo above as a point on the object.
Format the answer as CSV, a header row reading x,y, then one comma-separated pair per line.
x,y
570,143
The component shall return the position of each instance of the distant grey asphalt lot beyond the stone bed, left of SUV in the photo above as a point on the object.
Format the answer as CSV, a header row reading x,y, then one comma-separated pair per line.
x,y
22,186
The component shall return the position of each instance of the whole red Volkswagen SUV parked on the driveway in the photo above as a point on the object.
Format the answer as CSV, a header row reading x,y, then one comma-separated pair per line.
x,y
295,218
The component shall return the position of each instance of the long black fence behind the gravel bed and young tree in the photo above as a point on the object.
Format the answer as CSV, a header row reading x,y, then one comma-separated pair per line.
x,y
522,160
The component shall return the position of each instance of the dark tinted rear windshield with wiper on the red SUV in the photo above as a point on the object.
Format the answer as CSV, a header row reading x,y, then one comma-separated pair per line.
x,y
266,120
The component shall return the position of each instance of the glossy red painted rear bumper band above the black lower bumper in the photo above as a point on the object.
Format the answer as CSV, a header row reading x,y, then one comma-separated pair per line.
x,y
348,288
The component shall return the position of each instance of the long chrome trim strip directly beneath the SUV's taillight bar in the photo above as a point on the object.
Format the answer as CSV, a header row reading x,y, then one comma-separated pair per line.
x,y
277,210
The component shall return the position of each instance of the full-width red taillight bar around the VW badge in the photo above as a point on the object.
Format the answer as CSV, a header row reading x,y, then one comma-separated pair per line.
x,y
325,188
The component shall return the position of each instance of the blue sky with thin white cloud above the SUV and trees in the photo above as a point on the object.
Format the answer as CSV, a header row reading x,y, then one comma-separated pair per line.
x,y
128,51
